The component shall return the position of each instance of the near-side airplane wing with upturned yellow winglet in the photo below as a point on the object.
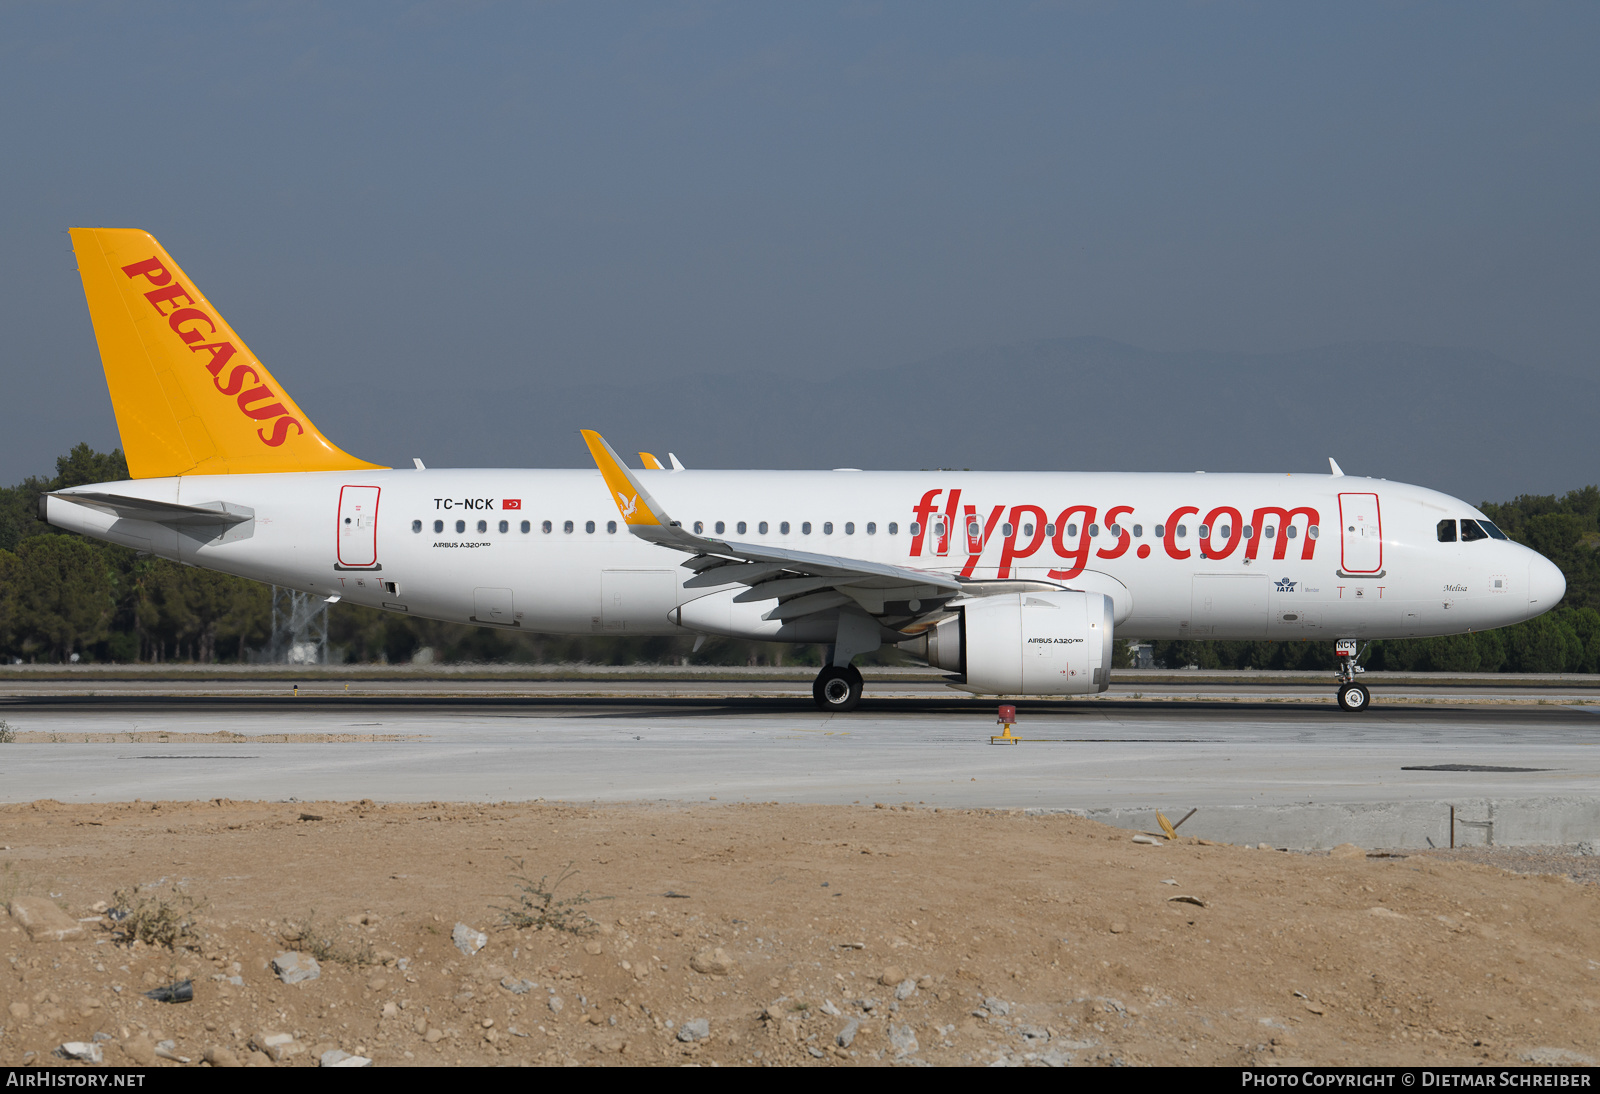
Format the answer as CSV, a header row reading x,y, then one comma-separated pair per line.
x,y
802,583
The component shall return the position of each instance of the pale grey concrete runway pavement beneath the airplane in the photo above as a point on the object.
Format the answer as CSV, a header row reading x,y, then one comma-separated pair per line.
x,y
1292,772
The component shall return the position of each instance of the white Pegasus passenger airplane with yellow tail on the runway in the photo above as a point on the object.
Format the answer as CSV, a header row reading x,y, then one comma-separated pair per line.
x,y
1015,585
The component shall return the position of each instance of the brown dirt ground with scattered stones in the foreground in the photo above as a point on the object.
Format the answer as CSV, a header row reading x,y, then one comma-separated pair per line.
x,y
778,936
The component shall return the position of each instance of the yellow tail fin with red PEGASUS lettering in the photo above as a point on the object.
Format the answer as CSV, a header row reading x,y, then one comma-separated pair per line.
x,y
191,399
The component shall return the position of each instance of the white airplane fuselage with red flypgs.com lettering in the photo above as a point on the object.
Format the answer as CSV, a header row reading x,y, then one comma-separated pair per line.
x,y
1290,557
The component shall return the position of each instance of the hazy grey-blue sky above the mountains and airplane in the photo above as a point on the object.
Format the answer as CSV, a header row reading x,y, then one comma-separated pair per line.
x,y
391,199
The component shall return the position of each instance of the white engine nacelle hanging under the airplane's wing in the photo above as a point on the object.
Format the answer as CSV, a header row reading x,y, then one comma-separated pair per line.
x,y
1031,644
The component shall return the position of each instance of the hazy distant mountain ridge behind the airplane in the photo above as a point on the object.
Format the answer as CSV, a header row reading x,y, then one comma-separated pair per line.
x,y
1466,423
